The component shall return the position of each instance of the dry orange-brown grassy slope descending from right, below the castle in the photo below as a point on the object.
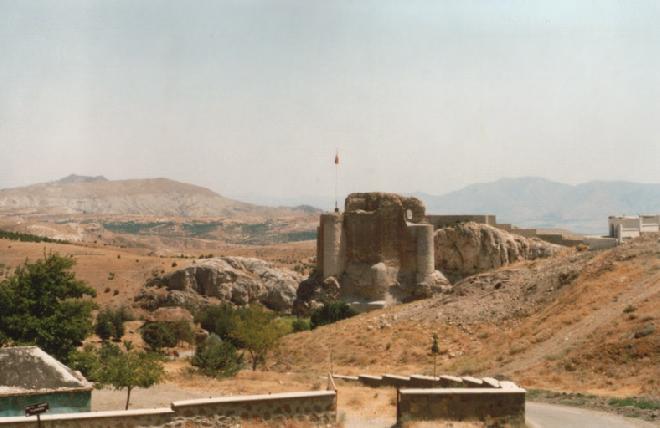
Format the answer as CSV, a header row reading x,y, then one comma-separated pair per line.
x,y
583,321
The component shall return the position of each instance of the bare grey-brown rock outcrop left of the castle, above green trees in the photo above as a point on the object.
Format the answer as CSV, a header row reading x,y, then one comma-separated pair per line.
x,y
236,280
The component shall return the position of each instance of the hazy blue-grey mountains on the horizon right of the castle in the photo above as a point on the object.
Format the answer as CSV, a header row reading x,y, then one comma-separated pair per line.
x,y
541,203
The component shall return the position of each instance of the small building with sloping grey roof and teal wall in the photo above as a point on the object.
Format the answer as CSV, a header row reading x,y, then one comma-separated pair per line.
x,y
29,375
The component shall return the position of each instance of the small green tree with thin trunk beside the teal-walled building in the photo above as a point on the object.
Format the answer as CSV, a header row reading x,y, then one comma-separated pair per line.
x,y
120,369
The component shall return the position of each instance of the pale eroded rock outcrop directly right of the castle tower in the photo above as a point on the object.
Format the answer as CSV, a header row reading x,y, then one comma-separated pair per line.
x,y
469,248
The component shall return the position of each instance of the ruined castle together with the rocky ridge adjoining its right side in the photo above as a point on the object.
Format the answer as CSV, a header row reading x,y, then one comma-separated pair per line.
x,y
384,249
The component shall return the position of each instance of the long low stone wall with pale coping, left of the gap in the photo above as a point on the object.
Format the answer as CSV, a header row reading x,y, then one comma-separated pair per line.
x,y
314,408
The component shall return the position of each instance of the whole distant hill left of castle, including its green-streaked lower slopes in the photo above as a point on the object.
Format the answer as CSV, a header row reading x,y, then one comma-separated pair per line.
x,y
159,214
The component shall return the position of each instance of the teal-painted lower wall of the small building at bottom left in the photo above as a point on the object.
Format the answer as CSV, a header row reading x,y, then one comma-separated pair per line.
x,y
59,402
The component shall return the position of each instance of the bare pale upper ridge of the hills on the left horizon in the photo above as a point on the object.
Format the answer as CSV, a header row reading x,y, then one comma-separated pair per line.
x,y
77,194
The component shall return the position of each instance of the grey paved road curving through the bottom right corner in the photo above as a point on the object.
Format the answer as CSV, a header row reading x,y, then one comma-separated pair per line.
x,y
542,415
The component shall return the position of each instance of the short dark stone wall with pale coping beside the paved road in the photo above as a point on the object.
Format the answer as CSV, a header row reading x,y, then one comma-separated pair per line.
x,y
493,407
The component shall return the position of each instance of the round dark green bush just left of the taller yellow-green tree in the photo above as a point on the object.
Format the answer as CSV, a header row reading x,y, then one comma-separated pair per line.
x,y
218,358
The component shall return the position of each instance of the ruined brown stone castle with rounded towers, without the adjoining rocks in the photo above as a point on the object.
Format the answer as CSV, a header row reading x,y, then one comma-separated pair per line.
x,y
380,248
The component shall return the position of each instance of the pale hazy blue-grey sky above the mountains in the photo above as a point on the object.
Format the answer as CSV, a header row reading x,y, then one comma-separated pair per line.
x,y
252,98
